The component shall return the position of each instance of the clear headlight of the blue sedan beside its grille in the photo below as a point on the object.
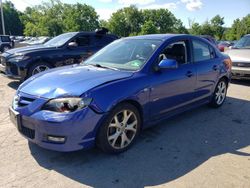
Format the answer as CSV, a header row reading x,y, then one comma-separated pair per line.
x,y
67,105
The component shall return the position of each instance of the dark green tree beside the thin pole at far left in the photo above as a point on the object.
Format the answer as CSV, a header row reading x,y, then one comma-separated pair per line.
x,y
13,25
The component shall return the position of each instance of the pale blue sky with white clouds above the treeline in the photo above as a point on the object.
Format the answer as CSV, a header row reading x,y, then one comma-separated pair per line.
x,y
195,10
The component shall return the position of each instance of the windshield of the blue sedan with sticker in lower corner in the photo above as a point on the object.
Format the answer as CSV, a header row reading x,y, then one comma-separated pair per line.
x,y
125,54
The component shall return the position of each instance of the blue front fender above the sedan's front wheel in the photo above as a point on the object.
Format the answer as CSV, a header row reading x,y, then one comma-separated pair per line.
x,y
135,88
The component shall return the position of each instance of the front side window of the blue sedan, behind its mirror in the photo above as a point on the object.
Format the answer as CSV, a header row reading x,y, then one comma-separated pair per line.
x,y
176,51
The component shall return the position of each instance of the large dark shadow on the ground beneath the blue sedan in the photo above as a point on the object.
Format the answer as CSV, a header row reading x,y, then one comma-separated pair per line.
x,y
162,153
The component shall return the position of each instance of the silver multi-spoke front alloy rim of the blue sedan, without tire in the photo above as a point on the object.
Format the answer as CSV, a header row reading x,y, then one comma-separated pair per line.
x,y
122,129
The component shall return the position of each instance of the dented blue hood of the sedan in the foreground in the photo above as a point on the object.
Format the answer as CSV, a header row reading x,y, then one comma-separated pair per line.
x,y
69,81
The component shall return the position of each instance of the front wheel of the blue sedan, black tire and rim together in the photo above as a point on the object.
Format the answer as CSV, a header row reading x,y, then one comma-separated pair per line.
x,y
117,133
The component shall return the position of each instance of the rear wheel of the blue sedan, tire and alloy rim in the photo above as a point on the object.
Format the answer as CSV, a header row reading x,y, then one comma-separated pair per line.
x,y
220,93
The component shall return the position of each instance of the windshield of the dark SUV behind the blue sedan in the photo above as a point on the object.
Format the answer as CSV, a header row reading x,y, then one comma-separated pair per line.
x,y
59,40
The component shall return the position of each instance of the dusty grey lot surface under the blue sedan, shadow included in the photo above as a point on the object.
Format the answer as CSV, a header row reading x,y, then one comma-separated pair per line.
x,y
202,148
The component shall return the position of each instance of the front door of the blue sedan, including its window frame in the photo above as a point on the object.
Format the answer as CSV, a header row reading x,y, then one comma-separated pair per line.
x,y
173,88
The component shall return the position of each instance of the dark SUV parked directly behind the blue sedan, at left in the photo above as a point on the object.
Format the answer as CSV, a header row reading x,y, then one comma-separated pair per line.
x,y
66,49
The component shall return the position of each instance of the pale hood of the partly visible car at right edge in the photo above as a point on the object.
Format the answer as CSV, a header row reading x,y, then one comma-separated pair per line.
x,y
239,55
